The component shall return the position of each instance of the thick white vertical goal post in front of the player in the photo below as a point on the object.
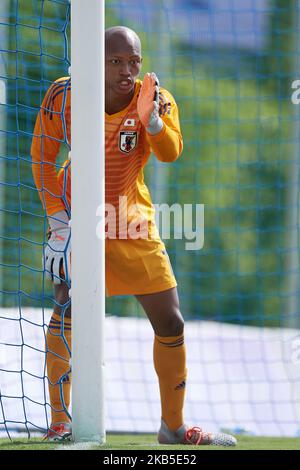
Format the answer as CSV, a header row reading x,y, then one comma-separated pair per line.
x,y
88,249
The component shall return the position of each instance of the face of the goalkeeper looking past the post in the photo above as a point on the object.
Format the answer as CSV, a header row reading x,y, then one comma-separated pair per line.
x,y
123,63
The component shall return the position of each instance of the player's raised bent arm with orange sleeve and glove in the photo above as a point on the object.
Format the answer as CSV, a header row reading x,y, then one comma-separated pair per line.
x,y
159,115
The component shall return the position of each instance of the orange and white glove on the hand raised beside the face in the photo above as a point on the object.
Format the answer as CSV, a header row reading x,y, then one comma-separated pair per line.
x,y
147,104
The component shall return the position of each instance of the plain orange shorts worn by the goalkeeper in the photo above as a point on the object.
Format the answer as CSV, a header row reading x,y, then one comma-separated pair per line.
x,y
137,267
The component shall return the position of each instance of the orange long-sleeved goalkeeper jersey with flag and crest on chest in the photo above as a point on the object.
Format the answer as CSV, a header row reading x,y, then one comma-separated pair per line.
x,y
127,150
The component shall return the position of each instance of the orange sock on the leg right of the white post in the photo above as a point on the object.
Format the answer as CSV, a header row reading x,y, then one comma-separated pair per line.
x,y
170,366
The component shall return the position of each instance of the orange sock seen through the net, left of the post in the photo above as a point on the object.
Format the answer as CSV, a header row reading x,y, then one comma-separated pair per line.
x,y
58,367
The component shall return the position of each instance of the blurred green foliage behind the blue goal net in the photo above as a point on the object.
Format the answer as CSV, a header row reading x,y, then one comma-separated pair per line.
x,y
238,126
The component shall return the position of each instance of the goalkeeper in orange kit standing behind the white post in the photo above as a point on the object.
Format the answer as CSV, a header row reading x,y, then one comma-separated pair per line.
x,y
140,117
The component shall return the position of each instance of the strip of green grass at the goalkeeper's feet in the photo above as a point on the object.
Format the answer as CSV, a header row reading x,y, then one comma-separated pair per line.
x,y
148,442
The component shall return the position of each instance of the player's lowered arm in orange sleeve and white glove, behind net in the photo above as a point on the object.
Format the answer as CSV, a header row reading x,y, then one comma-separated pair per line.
x,y
48,135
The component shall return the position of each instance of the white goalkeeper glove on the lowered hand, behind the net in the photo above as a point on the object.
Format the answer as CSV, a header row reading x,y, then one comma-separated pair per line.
x,y
58,249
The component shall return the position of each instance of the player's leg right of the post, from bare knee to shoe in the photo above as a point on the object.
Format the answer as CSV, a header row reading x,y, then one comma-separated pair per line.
x,y
163,311
